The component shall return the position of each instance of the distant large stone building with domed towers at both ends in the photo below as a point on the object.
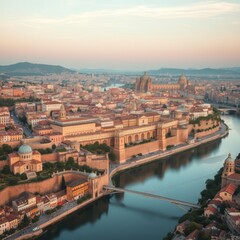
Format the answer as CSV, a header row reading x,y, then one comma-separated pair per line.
x,y
144,84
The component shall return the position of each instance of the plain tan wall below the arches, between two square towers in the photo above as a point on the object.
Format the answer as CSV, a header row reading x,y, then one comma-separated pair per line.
x,y
141,148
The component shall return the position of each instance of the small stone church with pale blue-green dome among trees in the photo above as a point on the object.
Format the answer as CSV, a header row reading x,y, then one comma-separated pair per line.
x,y
25,160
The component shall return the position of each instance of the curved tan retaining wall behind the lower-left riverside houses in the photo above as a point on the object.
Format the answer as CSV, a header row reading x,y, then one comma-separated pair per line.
x,y
50,185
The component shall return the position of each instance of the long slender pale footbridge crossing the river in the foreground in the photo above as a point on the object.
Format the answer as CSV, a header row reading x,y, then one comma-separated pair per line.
x,y
150,195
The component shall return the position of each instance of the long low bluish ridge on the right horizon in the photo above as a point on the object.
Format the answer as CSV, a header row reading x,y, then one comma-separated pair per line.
x,y
205,71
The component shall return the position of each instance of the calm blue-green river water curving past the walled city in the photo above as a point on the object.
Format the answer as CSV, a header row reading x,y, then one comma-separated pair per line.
x,y
127,216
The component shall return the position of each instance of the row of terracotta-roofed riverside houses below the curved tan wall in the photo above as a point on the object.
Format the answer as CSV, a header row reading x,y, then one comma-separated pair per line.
x,y
32,205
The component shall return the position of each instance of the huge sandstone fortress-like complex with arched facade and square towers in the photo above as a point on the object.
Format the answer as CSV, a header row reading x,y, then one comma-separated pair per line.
x,y
129,135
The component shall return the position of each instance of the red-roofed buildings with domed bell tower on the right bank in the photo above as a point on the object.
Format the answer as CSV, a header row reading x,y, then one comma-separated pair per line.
x,y
225,205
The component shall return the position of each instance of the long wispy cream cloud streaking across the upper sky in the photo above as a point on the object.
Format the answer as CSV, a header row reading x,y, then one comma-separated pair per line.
x,y
199,10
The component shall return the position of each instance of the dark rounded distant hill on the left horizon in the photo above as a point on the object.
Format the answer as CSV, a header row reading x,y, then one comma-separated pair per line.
x,y
30,69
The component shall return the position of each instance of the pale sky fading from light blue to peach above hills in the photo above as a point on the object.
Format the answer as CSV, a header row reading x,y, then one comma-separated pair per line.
x,y
123,34
